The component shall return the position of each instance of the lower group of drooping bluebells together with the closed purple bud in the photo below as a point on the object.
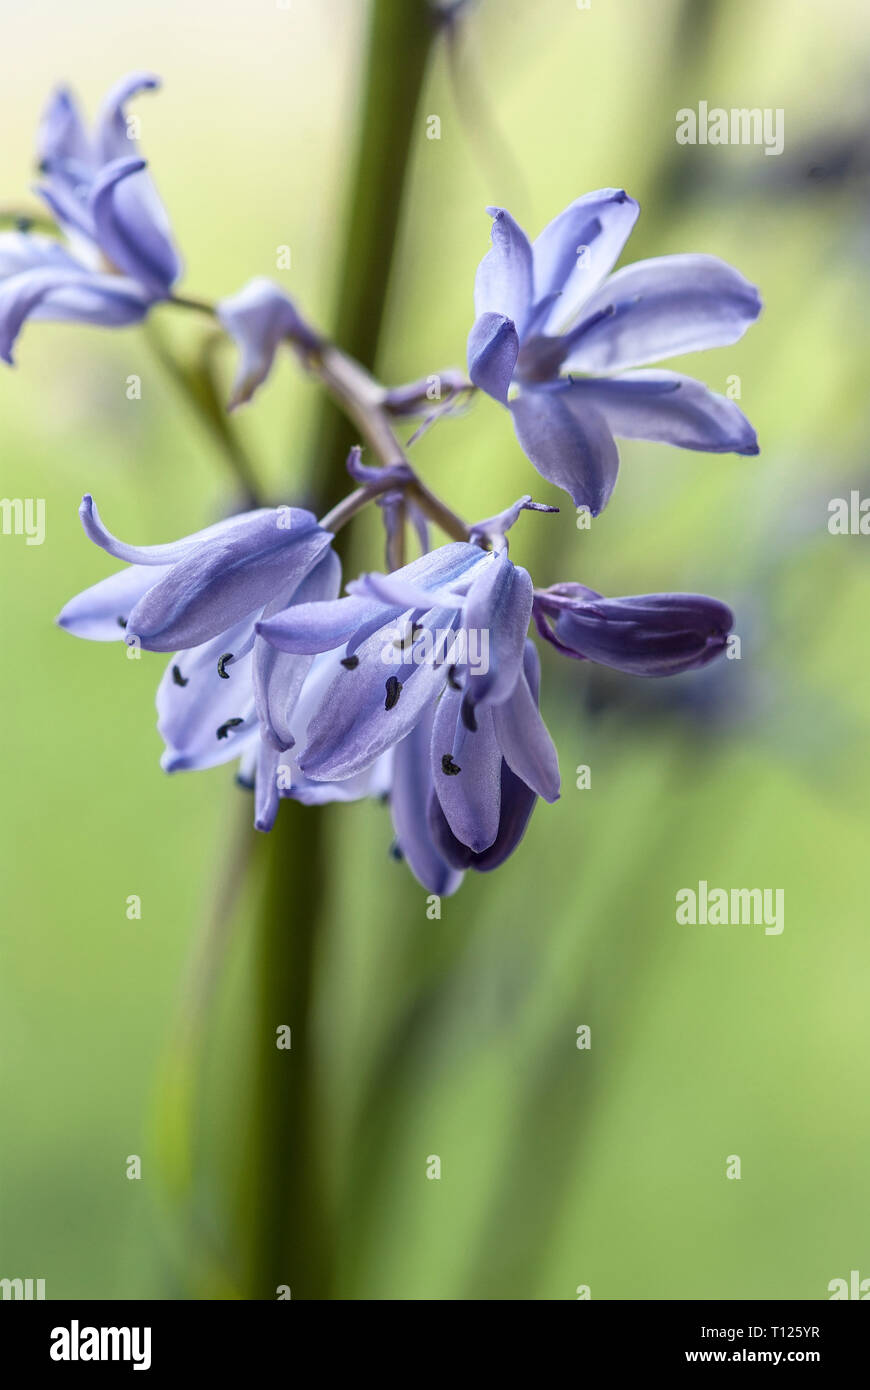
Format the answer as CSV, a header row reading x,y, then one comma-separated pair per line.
x,y
327,698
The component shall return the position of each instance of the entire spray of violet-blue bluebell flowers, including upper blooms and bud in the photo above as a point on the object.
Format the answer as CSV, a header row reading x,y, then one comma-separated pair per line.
x,y
419,685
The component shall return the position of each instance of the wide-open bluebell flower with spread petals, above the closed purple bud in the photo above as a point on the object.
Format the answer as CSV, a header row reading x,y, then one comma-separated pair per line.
x,y
558,337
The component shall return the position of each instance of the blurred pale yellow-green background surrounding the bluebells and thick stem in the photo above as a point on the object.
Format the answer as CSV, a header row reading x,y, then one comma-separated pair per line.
x,y
458,1038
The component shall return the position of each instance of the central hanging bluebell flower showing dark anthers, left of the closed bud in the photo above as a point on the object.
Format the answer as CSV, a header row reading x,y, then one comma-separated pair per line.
x,y
437,668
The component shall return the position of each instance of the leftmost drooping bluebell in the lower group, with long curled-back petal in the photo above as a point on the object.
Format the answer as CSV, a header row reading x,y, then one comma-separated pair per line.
x,y
226,693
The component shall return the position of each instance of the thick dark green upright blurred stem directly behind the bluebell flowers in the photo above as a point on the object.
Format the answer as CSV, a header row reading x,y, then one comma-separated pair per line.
x,y
293,1236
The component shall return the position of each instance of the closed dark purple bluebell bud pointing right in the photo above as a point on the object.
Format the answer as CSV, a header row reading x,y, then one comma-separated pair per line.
x,y
652,635
